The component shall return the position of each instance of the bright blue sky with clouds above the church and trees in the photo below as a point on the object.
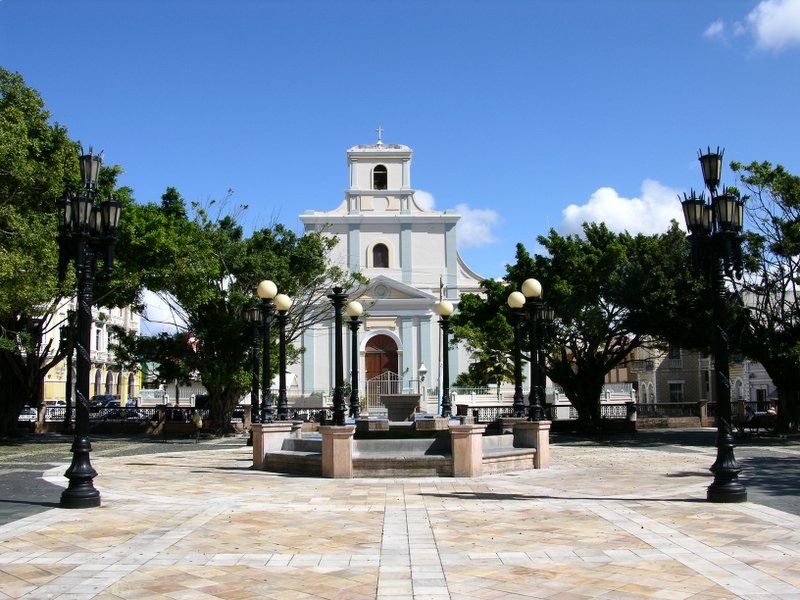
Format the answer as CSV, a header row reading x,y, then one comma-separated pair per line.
x,y
523,115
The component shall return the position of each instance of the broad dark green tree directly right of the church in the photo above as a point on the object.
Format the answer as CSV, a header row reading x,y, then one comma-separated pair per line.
x,y
613,292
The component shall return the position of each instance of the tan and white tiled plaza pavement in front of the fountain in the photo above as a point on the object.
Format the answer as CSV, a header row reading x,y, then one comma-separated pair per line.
x,y
605,520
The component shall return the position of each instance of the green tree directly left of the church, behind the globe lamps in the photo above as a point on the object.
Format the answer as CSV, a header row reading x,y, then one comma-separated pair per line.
x,y
207,271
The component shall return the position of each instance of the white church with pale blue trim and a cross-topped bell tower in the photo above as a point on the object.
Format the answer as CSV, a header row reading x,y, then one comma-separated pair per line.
x,y
410,256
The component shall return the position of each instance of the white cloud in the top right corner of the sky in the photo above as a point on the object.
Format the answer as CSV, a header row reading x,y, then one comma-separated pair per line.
x,y
775,24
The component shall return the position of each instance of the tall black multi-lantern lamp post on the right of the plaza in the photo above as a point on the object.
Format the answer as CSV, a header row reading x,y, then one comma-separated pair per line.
x,y
714,233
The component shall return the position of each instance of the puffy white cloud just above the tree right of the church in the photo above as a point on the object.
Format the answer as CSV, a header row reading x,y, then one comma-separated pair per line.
x,y
649,214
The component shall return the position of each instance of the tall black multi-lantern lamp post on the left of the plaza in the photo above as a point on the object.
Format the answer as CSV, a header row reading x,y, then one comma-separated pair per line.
x,y
87,231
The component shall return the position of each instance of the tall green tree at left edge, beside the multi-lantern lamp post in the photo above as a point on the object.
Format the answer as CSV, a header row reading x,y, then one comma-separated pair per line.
x,y
37,163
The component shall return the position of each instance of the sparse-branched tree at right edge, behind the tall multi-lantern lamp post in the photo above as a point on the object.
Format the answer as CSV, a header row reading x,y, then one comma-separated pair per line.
x,y
771,315
